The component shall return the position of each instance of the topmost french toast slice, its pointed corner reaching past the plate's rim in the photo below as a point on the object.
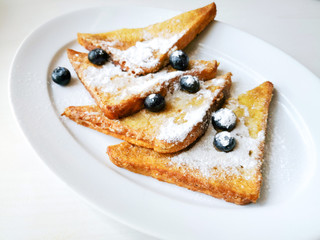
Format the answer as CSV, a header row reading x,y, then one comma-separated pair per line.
x,y
146,50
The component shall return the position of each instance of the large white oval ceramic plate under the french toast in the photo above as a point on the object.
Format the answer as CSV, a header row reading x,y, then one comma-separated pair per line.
x,y
288,207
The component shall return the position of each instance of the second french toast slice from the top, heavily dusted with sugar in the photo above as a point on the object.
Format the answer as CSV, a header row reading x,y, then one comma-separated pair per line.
x,y
120,94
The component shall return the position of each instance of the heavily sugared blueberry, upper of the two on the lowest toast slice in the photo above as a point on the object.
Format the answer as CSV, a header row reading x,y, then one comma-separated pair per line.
x,y
224,119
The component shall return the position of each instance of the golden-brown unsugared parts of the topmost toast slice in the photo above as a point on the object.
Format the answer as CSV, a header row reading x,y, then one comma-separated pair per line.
x,y
189,24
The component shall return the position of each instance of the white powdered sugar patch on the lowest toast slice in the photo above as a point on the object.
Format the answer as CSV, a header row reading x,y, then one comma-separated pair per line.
x,y
204,157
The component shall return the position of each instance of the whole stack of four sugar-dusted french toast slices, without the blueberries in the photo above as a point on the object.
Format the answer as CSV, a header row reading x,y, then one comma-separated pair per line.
x,y
174,145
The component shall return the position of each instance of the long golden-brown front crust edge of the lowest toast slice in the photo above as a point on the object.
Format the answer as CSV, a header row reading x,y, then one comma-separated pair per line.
x,y
149,163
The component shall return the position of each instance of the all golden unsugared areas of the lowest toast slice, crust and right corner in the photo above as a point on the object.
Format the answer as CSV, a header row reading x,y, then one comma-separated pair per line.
x,y
240,188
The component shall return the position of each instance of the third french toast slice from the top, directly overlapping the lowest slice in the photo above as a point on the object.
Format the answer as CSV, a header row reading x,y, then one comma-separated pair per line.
x,y
184,119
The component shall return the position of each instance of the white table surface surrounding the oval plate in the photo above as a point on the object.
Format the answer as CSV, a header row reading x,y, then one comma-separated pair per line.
x,y
34,203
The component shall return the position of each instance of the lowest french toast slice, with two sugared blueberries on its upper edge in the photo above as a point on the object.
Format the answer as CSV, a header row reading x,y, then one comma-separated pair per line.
x,y
234,176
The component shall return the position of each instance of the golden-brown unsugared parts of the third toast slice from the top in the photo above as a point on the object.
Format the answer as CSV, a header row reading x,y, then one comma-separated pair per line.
x,y
140,129
